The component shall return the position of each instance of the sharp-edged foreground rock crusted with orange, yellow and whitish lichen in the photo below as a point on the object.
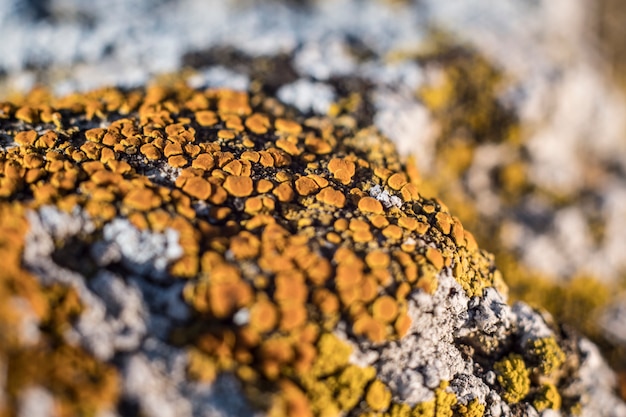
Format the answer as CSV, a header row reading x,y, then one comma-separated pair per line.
x,y
286,261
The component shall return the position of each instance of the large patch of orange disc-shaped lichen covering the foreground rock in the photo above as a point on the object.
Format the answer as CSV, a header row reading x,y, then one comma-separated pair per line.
x,y
285,223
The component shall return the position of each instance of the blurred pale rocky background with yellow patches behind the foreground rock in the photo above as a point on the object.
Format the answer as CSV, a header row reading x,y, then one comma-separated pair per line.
x,y
513,111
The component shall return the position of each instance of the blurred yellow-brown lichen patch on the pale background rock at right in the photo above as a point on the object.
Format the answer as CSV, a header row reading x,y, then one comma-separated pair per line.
x,y
464,99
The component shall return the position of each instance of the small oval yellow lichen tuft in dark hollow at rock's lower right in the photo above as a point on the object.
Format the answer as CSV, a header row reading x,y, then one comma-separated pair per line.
x,y
513,377
